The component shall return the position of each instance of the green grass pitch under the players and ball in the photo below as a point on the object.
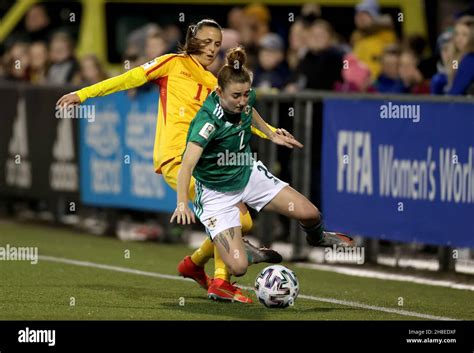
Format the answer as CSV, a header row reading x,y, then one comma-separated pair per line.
x,y
46,290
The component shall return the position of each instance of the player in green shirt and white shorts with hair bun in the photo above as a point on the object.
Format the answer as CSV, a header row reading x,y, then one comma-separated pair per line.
x,y
218,155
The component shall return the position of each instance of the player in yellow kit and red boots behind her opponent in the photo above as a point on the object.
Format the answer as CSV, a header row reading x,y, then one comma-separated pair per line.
x,y
184,85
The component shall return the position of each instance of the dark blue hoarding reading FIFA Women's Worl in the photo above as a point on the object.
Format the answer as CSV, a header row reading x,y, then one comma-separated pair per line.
x,y
399,170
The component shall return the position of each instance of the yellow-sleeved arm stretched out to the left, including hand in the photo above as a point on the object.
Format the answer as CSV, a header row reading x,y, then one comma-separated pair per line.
x,y
130,79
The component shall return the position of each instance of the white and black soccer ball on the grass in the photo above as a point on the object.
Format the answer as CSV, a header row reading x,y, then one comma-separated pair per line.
x,y
277,287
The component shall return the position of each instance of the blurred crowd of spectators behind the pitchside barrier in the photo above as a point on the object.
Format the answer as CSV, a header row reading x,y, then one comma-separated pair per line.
x,y
308,53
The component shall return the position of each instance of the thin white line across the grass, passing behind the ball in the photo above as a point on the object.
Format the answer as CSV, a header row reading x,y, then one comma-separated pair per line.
x,y
308,297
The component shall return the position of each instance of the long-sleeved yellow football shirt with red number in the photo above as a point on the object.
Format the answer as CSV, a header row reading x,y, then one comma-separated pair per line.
x,y
184,85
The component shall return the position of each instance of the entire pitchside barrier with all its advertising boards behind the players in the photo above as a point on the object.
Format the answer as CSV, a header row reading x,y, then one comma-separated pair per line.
x,y
403,179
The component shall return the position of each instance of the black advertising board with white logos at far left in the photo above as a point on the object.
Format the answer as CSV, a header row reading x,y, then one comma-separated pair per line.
x,y
38,153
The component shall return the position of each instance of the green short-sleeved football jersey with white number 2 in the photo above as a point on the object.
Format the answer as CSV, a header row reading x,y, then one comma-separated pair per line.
x,y
226,161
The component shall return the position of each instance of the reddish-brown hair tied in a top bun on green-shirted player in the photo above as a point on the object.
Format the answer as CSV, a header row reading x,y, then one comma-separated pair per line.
x,y
234,70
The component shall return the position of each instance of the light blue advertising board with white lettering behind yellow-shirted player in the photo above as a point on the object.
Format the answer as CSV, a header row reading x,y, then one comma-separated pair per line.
x,y
116,154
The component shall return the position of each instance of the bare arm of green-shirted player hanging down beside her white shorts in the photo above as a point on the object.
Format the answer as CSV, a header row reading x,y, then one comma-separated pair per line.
x,y
191,156
